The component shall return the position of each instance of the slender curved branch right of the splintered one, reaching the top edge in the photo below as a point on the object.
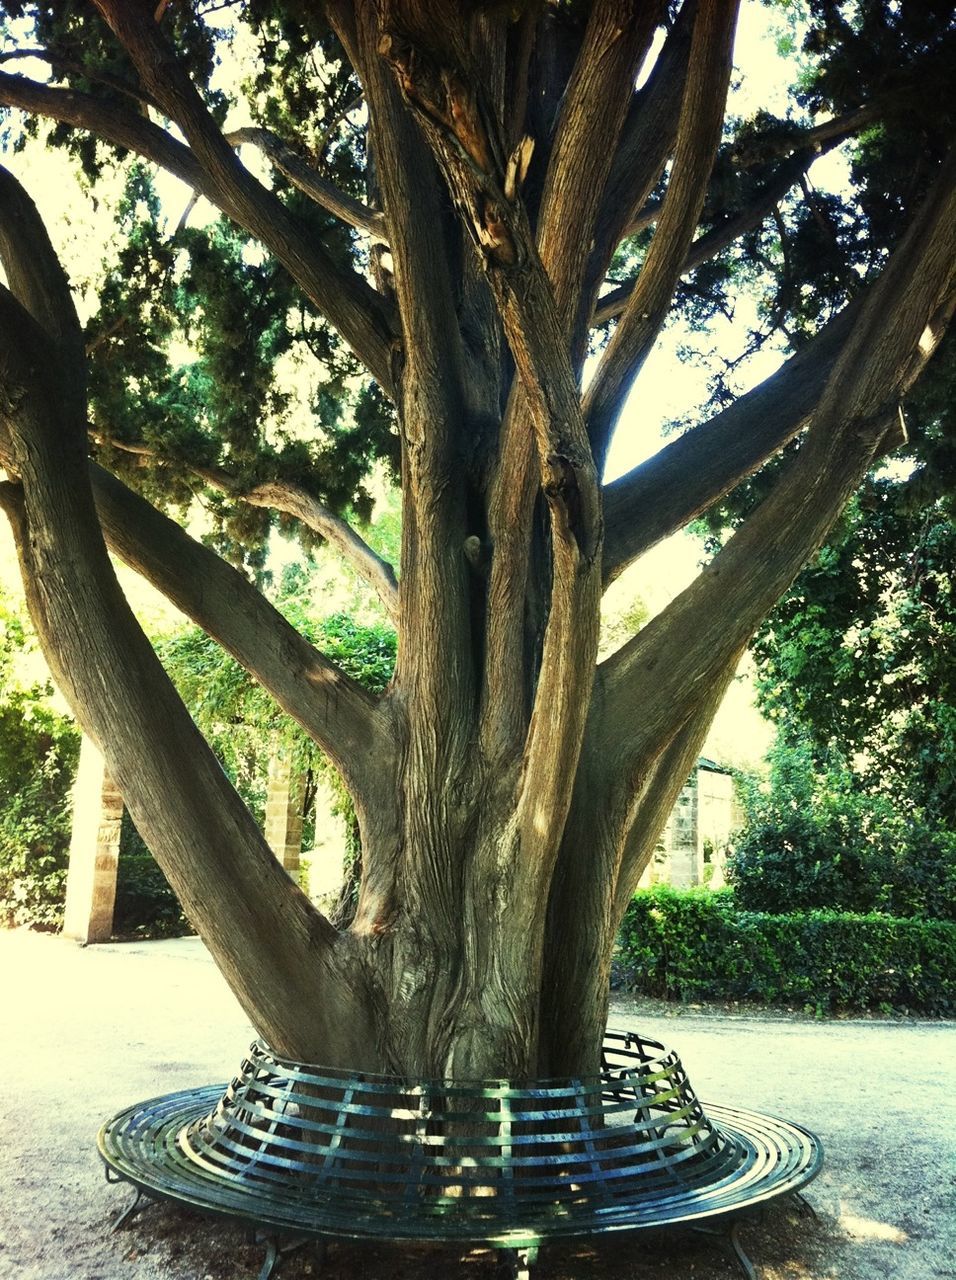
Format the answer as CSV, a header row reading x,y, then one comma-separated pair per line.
x,y
699,135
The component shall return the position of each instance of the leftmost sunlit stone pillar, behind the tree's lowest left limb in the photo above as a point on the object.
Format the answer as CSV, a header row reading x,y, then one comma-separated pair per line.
x,y
94,851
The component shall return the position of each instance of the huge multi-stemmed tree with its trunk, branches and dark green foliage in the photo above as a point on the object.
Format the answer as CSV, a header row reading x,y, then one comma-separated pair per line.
x,y
488,163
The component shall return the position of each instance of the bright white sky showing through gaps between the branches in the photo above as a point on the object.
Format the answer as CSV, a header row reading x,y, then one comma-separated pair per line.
x,y
666,390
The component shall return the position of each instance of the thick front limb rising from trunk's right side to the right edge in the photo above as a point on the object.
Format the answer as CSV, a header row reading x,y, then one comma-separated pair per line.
x,y
655,679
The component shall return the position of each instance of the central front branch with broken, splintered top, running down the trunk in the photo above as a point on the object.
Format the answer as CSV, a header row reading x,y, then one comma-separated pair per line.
x,y
486,185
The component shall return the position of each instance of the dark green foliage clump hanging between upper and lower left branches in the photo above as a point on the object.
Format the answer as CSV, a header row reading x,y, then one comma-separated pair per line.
x,y
267,394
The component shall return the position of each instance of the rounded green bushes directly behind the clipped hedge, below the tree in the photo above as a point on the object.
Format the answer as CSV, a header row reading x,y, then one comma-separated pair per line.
x,y
815,839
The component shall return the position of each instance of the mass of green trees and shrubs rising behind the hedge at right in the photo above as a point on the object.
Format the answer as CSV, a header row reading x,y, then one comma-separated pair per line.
x,y
858,669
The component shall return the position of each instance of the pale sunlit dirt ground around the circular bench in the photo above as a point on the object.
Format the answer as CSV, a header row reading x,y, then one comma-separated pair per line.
x,y
88,1031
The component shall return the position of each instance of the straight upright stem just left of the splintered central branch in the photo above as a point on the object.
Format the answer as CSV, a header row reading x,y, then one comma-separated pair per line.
x,y
434,397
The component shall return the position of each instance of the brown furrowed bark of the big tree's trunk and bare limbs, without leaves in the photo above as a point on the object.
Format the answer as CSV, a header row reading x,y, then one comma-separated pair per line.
x,y
509,788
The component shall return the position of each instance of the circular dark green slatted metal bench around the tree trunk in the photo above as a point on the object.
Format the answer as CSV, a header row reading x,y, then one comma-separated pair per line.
x,y
308,1151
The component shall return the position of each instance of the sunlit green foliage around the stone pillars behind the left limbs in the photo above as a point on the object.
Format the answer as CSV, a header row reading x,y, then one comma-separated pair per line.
x,y
39,751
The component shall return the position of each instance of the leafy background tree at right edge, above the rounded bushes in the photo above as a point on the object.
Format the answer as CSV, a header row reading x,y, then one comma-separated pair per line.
x,y
861,653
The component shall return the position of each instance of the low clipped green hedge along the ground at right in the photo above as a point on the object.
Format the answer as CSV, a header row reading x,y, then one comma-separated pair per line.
x,y
696,945
